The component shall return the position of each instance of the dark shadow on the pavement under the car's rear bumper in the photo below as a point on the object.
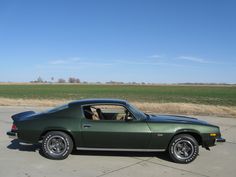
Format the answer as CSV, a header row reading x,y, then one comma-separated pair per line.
x,y
18,145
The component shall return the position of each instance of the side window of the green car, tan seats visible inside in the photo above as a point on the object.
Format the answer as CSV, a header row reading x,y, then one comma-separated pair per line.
x,y
107,112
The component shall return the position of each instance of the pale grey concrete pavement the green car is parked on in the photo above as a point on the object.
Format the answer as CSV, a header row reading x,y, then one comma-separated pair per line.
x,y
26,160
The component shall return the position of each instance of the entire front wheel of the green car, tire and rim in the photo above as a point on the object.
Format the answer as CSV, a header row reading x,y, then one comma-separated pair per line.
x,y
183,148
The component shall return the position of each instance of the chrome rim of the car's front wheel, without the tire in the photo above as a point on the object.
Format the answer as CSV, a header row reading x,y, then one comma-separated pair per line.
x,y
183,149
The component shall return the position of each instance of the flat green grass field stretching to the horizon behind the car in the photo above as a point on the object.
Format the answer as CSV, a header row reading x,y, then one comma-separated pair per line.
x,y
207,95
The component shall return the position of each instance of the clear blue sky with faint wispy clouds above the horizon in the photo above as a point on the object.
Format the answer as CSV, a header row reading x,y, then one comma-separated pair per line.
x,y
161,41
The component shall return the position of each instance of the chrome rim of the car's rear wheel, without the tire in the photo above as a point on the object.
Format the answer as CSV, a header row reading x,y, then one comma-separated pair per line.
x,y
56,145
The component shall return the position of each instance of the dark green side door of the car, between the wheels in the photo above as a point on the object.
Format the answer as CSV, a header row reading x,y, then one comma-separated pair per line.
x,y
115,133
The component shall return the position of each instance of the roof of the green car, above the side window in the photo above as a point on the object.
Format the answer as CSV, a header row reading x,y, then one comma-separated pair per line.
x,y
98,101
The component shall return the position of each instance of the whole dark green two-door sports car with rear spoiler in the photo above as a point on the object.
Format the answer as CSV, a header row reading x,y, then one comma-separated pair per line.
x,y
113,125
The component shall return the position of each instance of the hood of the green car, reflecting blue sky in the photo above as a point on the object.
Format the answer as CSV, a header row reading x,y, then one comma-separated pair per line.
x,y
175,119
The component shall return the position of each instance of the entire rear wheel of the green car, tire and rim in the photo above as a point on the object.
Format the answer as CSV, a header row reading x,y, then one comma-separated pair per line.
x,y
57,145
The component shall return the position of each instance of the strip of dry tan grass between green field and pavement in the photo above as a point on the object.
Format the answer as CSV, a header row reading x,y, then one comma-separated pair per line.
x,y
162,108
